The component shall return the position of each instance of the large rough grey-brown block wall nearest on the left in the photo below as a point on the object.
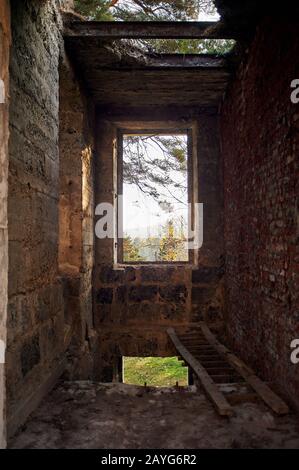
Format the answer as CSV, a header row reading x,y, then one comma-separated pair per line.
x,y
35,314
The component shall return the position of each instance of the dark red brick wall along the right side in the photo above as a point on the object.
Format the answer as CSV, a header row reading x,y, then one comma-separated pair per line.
x,y
260,142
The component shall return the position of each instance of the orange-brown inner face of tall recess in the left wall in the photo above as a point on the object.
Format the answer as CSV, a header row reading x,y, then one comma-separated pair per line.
x,y
72,144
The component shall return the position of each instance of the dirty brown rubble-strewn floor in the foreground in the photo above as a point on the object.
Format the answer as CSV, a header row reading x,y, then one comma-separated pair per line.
x,y
117,416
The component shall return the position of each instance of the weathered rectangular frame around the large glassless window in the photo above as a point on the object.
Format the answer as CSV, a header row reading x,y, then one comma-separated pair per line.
x,y
121,132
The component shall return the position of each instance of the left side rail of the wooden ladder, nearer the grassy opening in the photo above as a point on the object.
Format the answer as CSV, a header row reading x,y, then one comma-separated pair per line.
x,y
211,389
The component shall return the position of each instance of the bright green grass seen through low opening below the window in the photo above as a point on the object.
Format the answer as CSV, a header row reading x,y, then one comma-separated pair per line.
x,y
155,371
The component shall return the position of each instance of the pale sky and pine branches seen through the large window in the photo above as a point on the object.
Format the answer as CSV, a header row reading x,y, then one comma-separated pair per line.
x,y
155,197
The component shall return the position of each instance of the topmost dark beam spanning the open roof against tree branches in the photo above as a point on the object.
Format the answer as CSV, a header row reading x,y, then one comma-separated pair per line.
x,y
114,30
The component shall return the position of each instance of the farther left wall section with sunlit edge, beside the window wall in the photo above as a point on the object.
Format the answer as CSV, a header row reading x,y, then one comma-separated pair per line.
x,y
76,209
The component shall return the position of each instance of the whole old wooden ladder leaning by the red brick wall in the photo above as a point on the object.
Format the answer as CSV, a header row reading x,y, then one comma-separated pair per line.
x,y
224,377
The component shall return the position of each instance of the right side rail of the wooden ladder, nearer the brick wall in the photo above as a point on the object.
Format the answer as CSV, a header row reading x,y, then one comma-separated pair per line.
x,y
263,390
